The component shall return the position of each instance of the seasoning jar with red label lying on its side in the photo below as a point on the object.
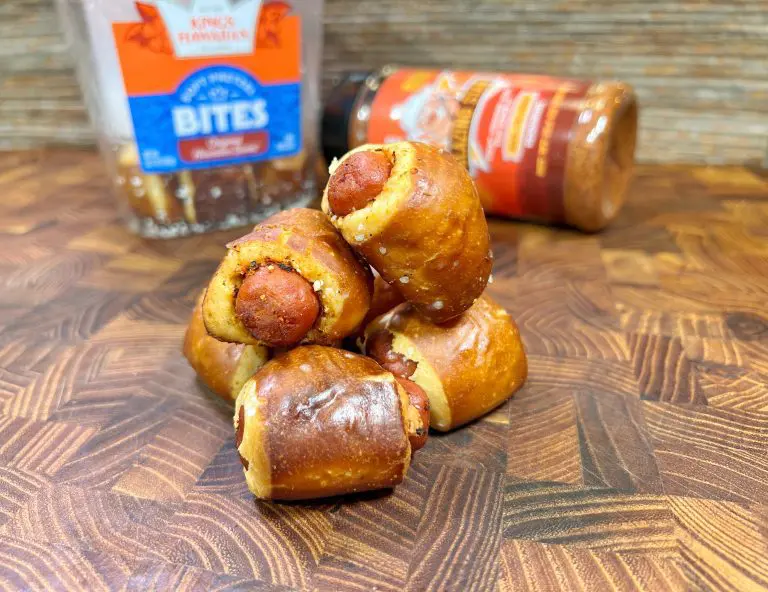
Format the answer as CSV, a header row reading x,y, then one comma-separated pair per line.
x,y
553,150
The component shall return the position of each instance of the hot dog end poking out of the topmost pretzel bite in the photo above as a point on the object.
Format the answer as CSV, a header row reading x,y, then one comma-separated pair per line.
x,y
357,181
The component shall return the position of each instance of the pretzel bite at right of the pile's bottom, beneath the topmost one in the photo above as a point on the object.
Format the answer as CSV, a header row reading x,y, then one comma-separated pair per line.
x,y
467,366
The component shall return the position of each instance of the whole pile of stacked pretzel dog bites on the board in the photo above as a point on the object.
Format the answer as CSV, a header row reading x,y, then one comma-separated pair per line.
x,y
393,267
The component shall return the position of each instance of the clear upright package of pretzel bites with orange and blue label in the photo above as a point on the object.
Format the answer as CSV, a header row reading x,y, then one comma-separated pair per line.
x,y
205,112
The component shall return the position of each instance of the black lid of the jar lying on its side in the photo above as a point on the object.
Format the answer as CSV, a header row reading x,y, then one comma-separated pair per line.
x,y
338,111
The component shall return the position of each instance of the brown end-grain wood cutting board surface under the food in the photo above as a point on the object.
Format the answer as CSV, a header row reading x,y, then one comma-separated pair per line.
x,y
635,458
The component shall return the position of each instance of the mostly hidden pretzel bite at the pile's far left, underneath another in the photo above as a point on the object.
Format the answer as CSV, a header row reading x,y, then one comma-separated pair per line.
x,y
223,367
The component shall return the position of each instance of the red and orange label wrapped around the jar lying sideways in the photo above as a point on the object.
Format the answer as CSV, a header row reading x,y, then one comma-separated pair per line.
x,y
511,131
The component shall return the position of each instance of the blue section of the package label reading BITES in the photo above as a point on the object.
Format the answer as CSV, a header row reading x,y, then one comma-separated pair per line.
x,y
218,116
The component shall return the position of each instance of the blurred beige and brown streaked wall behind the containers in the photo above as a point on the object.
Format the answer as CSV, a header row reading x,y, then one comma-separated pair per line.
x,y
700,66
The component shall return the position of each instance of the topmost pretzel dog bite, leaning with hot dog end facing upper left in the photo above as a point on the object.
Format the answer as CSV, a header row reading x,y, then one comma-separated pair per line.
x,y
412,211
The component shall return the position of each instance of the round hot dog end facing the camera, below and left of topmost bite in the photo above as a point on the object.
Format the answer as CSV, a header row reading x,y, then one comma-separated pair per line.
x,y
277,306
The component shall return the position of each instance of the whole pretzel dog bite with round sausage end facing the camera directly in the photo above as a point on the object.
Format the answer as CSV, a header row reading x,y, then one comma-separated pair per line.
x,y
292,280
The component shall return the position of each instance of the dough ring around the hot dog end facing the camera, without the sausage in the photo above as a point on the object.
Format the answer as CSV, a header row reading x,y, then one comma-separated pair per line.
x,y
303,242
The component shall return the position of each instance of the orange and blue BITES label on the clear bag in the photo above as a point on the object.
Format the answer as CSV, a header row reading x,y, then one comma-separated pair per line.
x,y
212,83
